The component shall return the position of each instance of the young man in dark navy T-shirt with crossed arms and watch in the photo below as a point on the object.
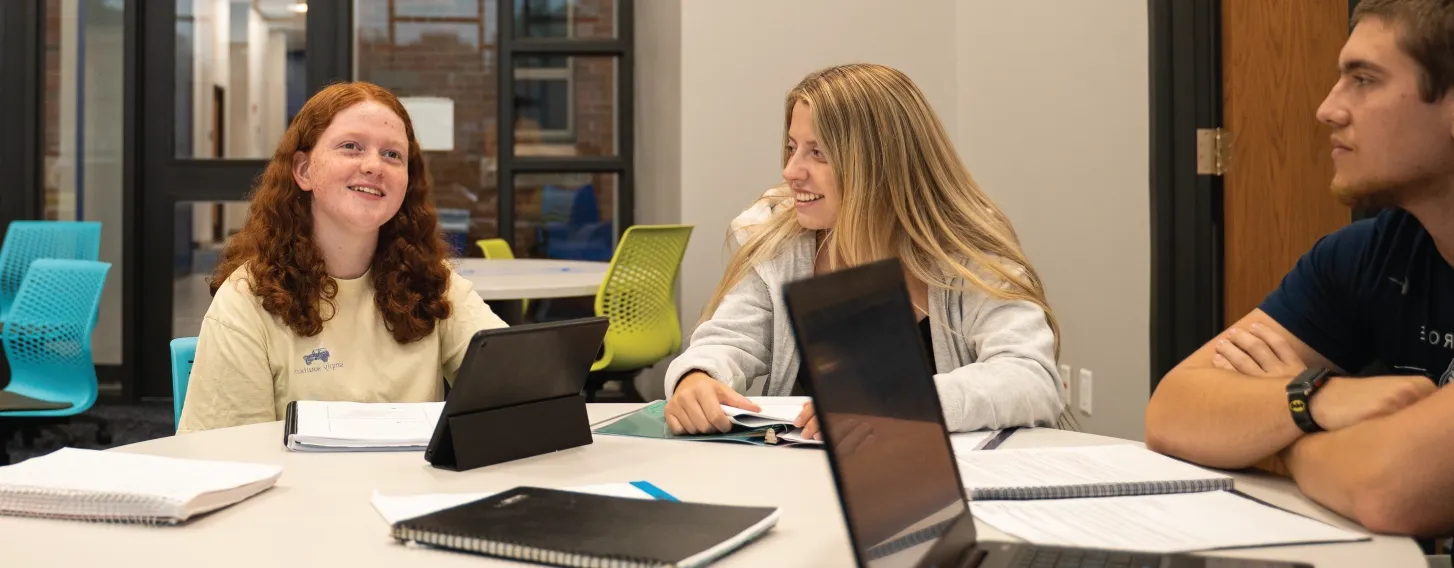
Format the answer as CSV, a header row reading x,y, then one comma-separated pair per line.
x,y
1272,389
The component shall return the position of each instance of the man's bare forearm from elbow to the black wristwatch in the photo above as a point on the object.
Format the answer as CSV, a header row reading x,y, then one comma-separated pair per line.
x,y
1221,419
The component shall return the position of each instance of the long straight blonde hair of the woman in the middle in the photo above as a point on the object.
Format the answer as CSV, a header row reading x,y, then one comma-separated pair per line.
x,y
905,194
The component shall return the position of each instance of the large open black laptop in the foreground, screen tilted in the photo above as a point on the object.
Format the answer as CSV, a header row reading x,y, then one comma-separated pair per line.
x,y
886,438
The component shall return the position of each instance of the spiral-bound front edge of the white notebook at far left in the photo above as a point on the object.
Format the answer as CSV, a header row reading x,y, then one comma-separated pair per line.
x,y
95,508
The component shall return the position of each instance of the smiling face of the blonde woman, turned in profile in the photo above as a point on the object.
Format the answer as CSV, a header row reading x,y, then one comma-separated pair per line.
x,y
808,172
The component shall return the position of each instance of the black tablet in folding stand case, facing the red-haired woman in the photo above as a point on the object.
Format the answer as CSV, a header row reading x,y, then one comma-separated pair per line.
x,y
515,367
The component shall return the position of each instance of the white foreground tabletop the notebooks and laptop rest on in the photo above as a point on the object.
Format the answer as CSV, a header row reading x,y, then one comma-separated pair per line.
x,y
319,515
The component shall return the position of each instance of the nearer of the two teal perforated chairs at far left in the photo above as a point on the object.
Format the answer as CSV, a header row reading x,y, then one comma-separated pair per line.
x,y
47,339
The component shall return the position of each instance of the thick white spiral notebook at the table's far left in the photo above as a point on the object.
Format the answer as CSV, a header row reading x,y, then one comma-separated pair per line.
x,y
120,487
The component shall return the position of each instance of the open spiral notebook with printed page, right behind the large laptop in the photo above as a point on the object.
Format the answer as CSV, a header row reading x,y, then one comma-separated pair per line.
x,y
1085,471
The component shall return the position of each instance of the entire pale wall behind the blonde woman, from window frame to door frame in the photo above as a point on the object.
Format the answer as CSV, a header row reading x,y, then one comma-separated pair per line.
x,y
1046,101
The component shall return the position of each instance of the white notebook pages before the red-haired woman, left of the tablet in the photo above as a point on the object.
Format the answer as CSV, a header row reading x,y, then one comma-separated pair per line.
x,y
318,426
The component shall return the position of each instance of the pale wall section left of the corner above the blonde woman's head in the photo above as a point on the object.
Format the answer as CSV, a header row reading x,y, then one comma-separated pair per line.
x,y
734,92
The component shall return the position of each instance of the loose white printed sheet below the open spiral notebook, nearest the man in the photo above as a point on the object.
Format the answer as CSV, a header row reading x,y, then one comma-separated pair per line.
x,y
1157,524
